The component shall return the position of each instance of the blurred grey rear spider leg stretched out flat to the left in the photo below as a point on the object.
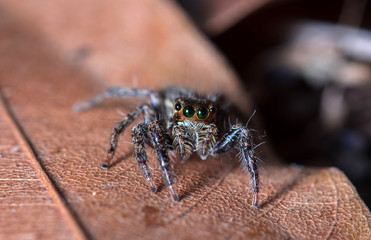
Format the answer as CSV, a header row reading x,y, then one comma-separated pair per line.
x,y
118,92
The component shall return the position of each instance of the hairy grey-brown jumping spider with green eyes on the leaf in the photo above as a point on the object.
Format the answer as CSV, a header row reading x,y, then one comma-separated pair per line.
x,y
176,119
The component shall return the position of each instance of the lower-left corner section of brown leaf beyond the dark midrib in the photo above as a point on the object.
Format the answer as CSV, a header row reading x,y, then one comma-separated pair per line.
x,y
28,209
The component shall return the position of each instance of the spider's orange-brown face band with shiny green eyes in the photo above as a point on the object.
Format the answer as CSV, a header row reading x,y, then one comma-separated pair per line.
x,y
194,110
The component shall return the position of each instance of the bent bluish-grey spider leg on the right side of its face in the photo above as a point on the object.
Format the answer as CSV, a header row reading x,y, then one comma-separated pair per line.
x,y
240,137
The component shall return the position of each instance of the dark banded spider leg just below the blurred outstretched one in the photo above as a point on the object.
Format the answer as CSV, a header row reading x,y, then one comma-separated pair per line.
x,y
119,128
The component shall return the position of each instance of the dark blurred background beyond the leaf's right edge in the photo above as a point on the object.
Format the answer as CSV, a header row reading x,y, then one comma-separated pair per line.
x,y
307,65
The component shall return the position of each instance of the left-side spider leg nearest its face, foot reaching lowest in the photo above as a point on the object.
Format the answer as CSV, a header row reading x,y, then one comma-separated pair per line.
x,y
160,145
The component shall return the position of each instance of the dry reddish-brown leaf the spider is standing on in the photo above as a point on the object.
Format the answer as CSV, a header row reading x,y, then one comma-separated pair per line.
x,y
53,57
